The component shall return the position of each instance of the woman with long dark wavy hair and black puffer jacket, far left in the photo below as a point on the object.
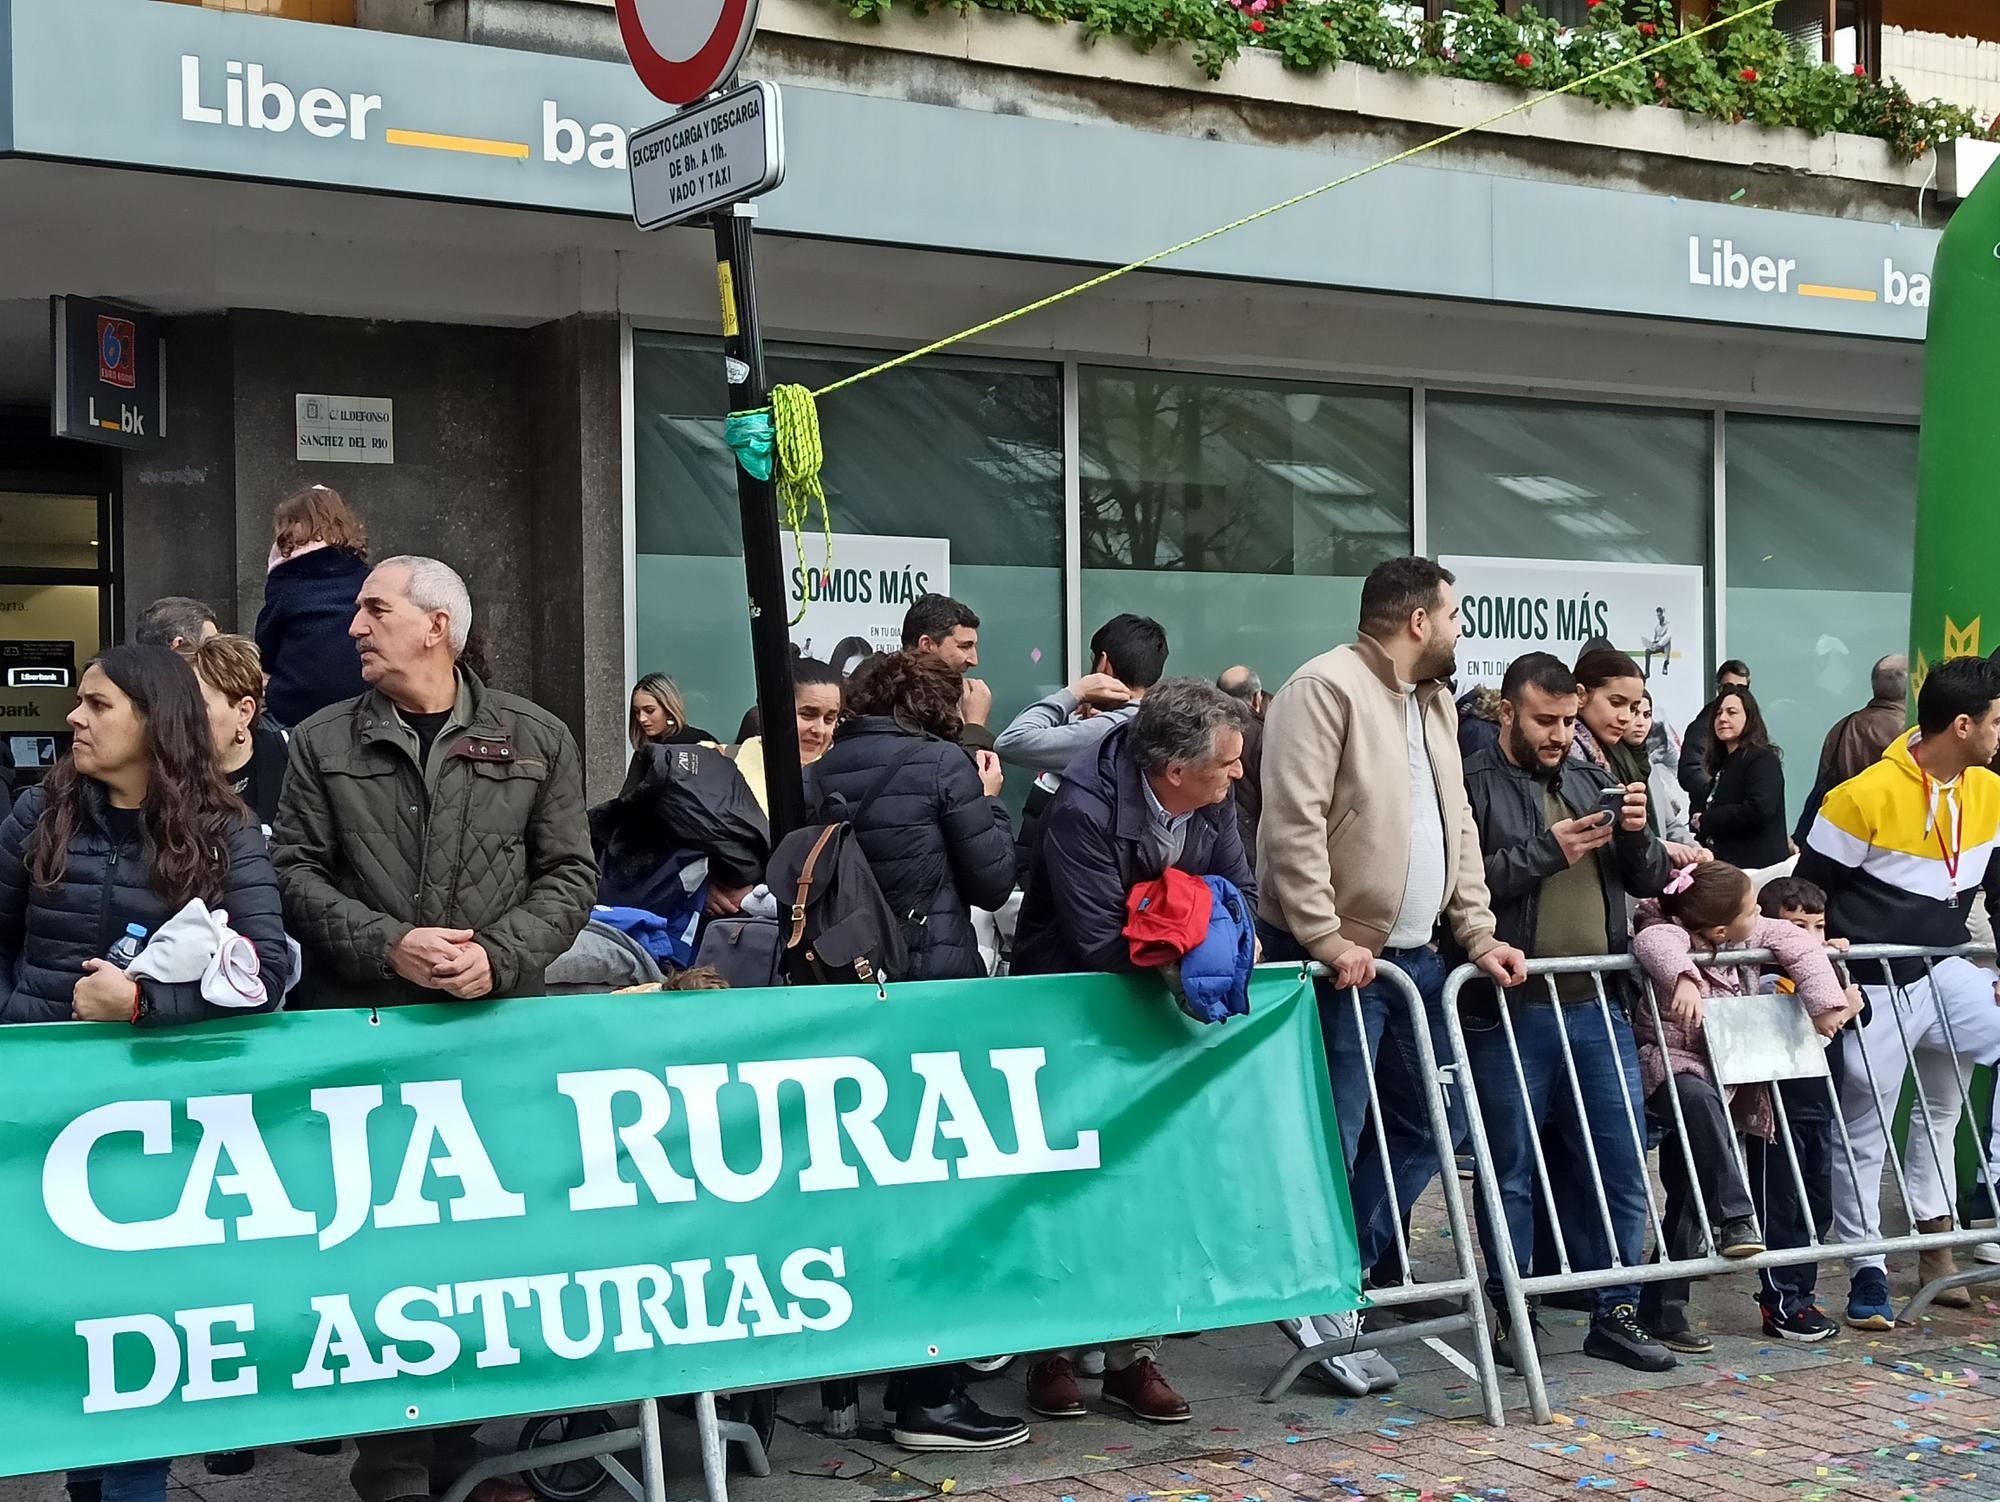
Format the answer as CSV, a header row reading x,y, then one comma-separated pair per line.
x,y
125,831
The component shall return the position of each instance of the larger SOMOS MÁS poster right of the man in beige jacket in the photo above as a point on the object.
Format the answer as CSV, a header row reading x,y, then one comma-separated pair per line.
x,y
1653,613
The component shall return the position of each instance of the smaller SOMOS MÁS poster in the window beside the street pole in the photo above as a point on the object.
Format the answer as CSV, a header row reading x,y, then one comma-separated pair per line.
x,y
859,597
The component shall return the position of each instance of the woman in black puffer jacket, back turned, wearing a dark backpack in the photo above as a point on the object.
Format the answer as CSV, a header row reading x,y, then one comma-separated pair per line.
x,y
935,837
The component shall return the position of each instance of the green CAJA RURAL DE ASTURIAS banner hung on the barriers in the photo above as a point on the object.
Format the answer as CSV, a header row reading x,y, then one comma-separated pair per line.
x,y
337,1223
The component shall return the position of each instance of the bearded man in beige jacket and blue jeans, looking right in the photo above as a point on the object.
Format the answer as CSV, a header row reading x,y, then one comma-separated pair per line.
x,y
1365,843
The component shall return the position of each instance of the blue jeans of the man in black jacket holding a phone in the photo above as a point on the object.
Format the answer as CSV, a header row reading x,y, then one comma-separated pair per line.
x,y
1515,1123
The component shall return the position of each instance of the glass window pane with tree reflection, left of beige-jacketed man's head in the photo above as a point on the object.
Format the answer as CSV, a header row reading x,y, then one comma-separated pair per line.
x,y
1243,515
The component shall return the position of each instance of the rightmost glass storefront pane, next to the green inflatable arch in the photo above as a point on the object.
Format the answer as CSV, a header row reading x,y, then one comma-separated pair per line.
x,y
1821,559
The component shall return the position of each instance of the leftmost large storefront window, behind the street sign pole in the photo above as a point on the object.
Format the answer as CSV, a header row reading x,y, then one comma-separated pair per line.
x,y
969,451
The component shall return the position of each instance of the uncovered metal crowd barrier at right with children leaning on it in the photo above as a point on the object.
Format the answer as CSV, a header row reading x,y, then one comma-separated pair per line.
x,y
1519,1285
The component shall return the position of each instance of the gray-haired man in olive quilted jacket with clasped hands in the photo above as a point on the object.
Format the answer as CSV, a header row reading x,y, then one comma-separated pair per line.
x,y
431,845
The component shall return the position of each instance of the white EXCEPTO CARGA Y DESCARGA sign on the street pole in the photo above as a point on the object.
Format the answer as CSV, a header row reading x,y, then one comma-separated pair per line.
x,y
707,157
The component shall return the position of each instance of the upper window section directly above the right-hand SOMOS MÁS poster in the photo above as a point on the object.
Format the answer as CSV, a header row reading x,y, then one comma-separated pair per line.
x,y
1523,479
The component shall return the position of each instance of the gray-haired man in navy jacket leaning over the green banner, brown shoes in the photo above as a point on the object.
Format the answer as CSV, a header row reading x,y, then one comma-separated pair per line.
x,y
1155,793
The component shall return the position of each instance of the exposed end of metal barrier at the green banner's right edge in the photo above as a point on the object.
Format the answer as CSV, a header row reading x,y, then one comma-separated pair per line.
x,y
1465,1285
